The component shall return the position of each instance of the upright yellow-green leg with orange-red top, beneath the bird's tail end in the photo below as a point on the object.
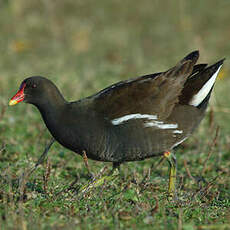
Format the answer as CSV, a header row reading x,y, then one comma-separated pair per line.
x,y
171,158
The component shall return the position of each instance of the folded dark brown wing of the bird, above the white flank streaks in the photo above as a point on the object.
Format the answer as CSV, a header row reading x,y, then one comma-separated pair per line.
x,y
155,94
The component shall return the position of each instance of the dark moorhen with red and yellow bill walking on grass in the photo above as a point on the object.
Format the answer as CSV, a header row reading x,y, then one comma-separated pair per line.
x,y
131,120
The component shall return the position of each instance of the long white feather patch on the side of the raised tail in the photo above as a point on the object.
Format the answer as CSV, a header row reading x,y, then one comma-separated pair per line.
x,y
200,96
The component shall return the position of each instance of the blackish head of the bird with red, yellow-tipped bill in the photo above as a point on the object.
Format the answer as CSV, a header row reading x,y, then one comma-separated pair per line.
x,y
36,90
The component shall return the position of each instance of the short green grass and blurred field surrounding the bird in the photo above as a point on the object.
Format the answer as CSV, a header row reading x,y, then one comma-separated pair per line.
x,y
85,46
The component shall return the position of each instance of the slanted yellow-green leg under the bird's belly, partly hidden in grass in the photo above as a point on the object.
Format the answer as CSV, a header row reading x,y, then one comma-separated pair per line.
x,y
96,182
